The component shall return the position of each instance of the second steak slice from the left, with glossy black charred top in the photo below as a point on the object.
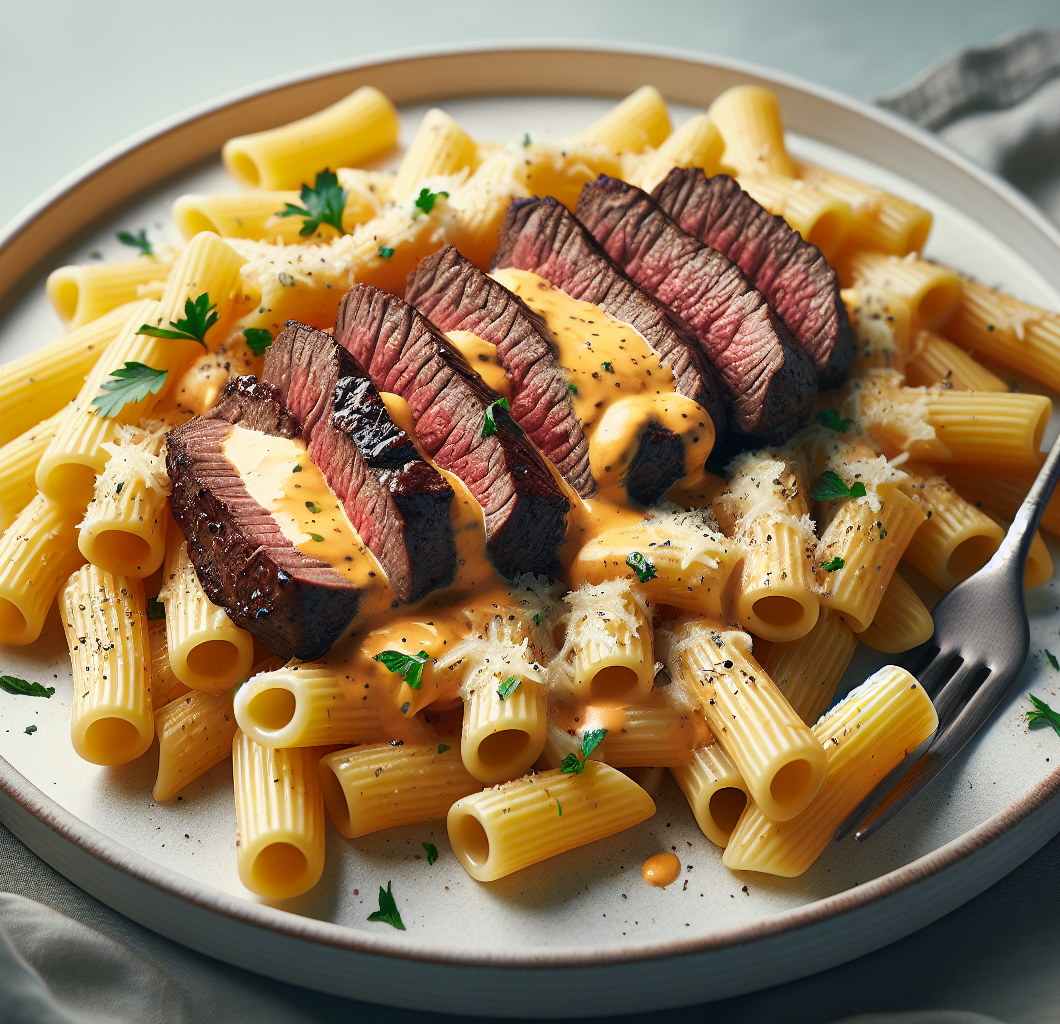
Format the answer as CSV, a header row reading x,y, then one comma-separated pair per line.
x,y
397,502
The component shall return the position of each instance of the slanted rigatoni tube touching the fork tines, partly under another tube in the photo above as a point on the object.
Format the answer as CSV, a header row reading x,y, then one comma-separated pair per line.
x,y
865,737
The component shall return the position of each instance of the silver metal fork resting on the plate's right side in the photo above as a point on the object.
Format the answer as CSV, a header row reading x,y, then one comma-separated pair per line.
x,y
980,646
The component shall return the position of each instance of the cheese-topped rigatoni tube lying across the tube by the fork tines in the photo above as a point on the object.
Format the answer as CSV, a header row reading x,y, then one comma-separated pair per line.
x,y
775,752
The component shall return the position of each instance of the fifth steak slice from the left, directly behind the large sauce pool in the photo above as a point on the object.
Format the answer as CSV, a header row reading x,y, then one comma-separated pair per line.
x,y
543,237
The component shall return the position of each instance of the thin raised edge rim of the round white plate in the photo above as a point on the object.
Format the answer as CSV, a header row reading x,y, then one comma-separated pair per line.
x,y
111,852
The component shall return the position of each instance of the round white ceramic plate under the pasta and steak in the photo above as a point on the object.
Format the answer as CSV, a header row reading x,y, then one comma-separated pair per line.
x,y
581,934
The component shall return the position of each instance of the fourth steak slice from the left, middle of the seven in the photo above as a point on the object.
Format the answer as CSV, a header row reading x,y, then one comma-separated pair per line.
x,y
456,296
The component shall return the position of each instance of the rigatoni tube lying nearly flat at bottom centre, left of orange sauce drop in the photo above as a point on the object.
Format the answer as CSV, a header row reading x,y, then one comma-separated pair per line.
x,y
502,831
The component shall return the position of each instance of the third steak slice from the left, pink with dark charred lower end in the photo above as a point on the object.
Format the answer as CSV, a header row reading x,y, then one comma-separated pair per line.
x,y
524,509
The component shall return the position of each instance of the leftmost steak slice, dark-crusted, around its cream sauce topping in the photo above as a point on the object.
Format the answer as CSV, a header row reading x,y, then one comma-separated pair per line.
x,y
296,605
